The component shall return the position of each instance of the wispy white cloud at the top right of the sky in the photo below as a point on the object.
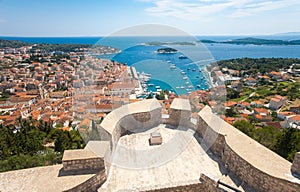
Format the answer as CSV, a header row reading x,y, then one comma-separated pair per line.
x,y
199,9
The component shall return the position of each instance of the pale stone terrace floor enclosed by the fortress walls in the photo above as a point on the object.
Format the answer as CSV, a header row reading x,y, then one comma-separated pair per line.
x,y
178,161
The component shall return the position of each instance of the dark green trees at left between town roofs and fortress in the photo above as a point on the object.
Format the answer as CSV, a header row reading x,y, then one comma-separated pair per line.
x,y
26,147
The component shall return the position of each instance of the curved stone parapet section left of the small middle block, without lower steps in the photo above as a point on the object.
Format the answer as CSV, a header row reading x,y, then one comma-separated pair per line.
x,y
133,117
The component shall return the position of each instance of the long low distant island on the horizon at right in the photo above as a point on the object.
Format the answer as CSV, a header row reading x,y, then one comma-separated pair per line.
x,y
255,41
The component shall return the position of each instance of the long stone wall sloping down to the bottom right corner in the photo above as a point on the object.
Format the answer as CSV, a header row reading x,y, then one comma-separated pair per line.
x,y
253,163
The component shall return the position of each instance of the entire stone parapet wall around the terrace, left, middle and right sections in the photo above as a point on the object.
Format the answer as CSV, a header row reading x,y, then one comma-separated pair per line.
x,y
259,167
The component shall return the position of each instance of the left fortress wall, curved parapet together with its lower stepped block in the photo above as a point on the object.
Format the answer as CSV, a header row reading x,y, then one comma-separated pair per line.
x,y
138,116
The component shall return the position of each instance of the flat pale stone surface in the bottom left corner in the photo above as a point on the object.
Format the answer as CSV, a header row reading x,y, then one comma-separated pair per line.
x,y
49,178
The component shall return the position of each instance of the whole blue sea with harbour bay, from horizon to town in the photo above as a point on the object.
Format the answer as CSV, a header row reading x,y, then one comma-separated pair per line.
x,y
172,71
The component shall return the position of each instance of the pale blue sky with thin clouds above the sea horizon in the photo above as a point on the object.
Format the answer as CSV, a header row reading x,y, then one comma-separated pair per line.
x,y
102,17
